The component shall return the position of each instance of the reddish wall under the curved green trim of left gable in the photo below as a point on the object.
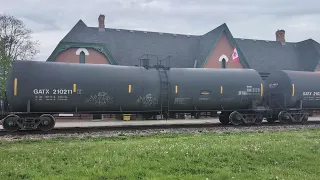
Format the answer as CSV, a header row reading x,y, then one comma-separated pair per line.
x,y
70,56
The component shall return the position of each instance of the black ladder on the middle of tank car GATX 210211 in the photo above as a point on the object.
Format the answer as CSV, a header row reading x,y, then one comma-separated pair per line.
x,y
164,88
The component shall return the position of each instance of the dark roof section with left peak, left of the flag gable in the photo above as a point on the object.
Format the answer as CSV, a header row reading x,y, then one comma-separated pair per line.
x,y
127,46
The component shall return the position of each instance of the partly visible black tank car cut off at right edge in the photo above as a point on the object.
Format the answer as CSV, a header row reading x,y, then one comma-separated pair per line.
x,y
292,95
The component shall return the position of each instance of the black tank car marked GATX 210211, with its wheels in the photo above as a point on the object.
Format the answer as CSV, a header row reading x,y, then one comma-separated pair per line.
x,y
38,90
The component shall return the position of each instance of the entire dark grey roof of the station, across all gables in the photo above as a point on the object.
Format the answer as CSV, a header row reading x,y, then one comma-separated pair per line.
x,y
124,47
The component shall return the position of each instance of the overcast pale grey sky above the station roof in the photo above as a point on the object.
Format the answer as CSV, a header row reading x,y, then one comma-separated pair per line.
x,y
254,19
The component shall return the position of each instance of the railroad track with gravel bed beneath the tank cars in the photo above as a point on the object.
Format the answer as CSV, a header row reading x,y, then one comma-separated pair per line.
x,y
124,128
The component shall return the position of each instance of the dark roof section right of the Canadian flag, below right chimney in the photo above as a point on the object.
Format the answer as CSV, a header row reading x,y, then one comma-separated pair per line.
x,y
268,56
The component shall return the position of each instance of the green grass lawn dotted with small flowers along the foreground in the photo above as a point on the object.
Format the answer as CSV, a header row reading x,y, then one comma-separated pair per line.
x,y
247,155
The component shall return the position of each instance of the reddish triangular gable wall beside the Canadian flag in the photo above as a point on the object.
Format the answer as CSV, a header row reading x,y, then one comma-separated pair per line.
x,y
223,47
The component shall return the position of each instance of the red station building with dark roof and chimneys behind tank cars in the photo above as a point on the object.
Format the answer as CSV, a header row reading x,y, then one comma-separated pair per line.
x,y
214,49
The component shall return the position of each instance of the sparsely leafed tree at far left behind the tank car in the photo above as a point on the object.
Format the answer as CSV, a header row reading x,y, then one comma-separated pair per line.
x,y
15,44
